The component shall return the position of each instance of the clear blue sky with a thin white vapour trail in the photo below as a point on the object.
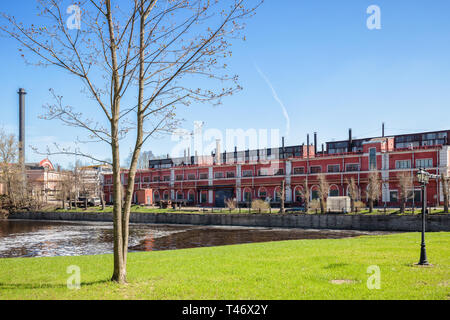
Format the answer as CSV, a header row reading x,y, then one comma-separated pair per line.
x,y
329,70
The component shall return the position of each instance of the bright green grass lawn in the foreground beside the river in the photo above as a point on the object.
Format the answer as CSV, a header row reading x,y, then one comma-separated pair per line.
x,y
301,269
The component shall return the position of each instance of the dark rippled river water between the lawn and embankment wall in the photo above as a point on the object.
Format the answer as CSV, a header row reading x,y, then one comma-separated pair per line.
x,y
20,238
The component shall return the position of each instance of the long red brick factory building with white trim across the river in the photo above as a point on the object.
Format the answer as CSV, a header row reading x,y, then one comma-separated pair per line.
x,y
252,174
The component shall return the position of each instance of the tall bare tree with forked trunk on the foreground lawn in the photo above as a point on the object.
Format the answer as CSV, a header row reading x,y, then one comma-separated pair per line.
x,y
146,48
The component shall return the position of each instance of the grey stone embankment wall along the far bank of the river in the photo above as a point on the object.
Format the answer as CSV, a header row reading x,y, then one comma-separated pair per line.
x,y
325,221
